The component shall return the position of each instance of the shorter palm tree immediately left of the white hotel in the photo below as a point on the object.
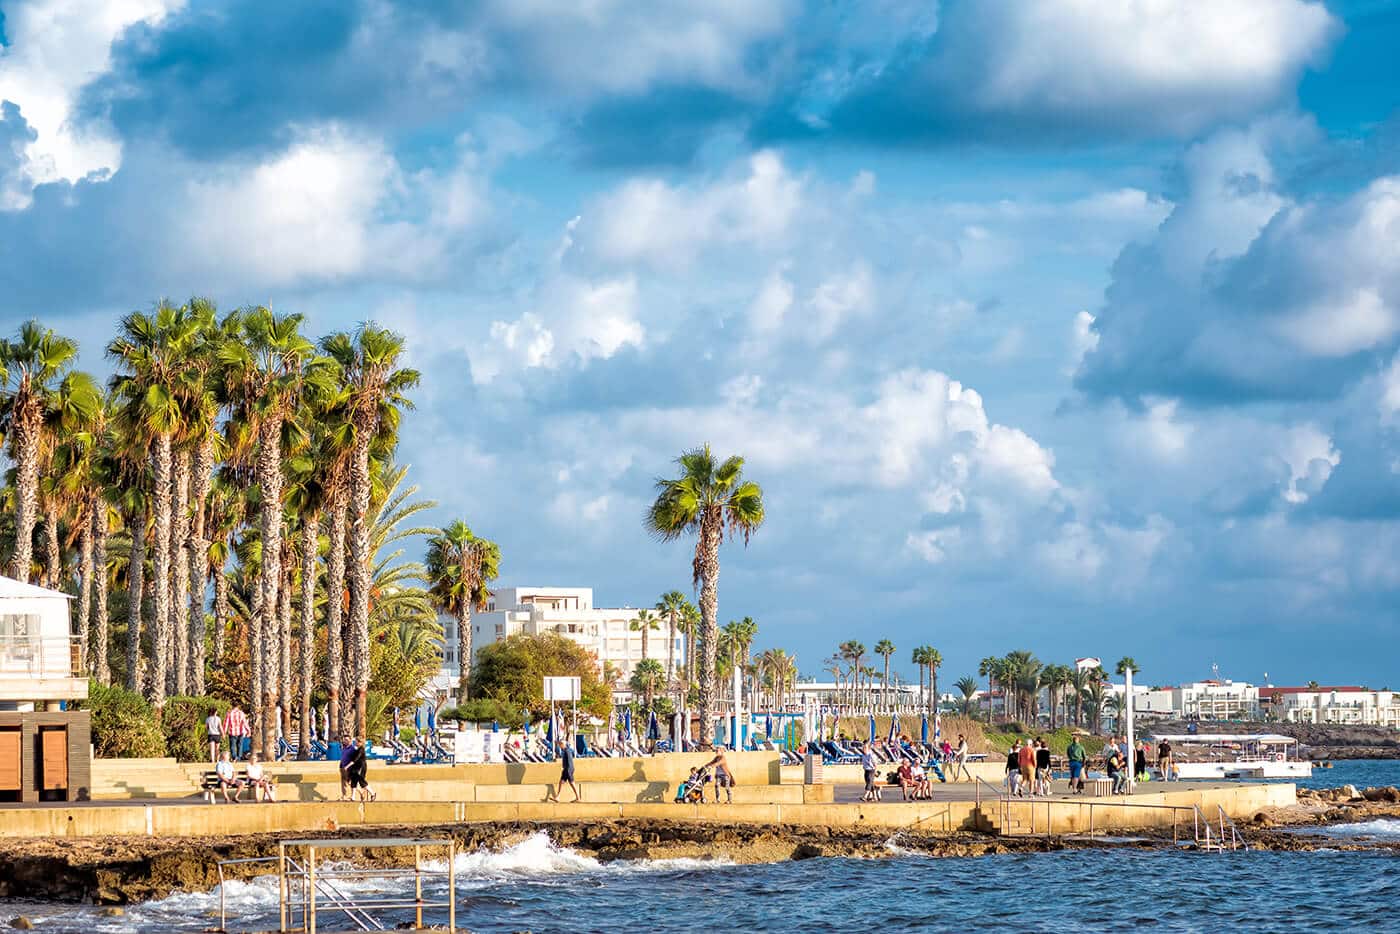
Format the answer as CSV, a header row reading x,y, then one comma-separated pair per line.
x,y
461,568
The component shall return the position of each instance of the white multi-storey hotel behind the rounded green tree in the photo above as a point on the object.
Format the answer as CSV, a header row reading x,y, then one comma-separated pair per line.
x,y
568,611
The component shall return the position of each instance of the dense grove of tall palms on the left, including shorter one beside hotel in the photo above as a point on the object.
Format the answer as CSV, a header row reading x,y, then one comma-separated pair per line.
x,y
232,467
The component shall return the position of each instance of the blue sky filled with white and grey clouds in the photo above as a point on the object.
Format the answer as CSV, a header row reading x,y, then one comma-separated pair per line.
x,y
1063,327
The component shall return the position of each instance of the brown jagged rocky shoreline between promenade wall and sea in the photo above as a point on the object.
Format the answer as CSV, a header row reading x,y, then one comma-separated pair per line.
x,y
127,870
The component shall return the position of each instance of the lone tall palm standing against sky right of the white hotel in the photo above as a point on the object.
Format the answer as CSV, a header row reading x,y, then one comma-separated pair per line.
x,y
708,499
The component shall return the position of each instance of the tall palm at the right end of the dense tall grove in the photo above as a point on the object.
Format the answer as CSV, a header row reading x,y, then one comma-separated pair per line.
x,y
376,391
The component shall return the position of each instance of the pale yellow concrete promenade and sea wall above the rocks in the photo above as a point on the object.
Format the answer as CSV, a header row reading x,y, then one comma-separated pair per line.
x,y
611,790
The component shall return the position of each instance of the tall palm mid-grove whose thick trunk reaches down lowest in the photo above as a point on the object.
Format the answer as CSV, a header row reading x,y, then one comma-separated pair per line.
x,y
267,373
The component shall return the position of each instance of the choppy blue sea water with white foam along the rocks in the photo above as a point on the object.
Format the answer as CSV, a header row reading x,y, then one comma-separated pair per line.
x,y
540,887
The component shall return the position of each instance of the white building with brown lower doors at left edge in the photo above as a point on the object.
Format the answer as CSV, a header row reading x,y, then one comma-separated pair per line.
x,y
44,747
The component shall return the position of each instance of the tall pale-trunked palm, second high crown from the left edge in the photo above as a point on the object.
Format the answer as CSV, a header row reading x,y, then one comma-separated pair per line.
x,y
149,352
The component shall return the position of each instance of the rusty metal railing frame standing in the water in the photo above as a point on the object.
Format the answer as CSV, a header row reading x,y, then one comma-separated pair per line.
x,y
307,890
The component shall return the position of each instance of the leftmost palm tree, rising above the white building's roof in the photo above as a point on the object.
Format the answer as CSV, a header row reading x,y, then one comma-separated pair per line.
x,y
33,369
